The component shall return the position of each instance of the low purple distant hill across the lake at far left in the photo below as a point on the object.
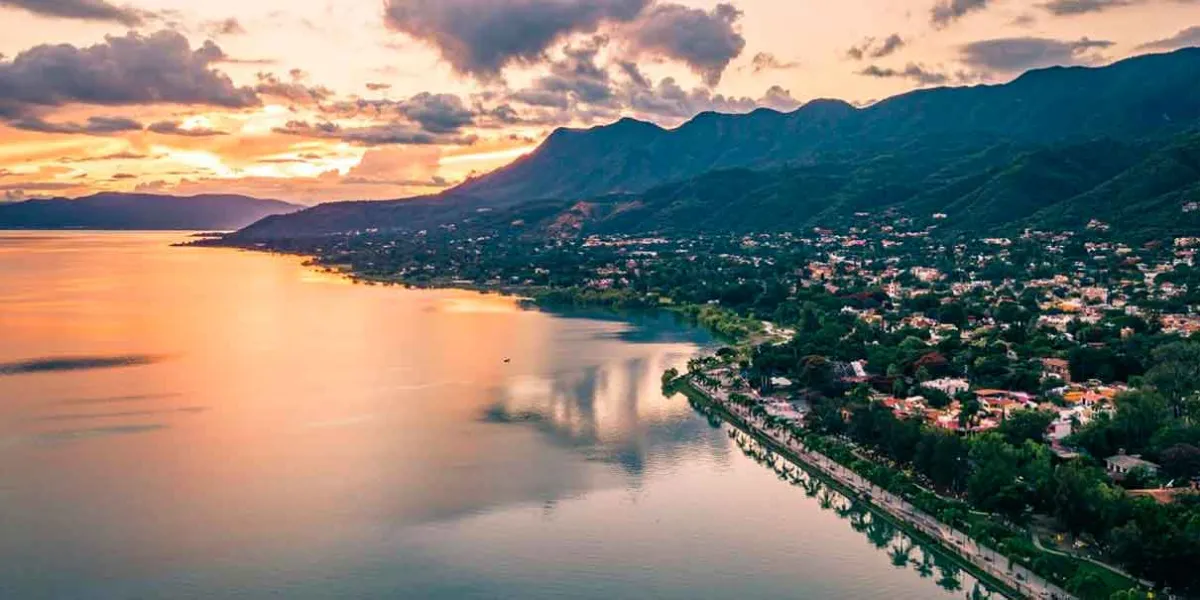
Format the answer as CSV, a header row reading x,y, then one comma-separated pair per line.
x,y
141,212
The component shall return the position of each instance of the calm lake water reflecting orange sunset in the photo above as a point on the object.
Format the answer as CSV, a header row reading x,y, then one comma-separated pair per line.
x,y
221,424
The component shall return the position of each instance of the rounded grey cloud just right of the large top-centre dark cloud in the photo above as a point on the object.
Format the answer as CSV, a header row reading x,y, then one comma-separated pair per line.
x,y
705,41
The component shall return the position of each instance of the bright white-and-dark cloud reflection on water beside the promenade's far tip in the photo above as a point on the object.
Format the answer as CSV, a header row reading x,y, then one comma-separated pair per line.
x,y
614,413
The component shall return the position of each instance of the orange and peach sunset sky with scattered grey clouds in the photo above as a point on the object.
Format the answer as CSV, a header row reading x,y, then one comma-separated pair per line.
x,y
321,100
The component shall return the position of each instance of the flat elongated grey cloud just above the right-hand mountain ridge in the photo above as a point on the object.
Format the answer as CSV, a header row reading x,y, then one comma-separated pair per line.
x,y
1017,55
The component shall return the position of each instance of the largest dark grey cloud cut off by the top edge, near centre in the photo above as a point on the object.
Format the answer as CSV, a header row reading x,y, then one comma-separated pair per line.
x,y
481,38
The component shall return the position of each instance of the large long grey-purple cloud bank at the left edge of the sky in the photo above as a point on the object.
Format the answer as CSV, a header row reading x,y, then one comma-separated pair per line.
x,y
122,71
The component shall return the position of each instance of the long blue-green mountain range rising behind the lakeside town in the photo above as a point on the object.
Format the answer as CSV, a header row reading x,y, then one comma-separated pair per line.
x,y
998,153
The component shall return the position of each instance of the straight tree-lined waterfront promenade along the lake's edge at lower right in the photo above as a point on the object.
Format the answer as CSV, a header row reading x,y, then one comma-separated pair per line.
x,y
986,560
